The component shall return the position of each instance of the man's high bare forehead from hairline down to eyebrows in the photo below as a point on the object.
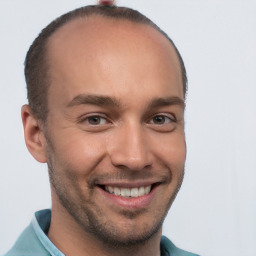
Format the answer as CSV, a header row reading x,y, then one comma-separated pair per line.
x,y
109,55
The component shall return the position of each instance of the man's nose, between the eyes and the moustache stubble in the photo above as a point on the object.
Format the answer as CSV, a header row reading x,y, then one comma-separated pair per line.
x,y
129,148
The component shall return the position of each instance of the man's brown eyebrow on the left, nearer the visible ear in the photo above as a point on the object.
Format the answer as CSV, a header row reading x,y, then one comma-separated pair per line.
x,y
104,101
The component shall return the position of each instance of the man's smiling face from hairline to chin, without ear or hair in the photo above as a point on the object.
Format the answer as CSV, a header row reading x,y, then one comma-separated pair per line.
x,y
115,129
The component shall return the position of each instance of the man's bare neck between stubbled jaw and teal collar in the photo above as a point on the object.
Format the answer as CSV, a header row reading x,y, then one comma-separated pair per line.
x,y
71,239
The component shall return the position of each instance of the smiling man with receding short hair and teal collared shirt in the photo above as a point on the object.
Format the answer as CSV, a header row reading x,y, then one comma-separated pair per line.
x,y
106,90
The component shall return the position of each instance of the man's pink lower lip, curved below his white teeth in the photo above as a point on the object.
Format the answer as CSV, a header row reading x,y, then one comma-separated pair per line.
x,y
130,202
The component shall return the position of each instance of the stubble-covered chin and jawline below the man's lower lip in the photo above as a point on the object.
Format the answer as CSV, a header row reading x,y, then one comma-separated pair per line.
x,y
123,229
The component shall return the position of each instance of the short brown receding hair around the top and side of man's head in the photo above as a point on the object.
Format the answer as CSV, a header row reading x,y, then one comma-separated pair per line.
x,y
36,68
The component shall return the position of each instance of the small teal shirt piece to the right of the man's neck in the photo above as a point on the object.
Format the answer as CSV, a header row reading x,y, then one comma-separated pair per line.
x,y
168,248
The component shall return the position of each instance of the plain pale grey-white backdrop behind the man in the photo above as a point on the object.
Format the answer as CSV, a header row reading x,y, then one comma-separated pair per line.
x,y
215,211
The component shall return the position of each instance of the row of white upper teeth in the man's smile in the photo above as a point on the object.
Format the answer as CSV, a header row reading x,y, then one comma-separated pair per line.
x,y
128,192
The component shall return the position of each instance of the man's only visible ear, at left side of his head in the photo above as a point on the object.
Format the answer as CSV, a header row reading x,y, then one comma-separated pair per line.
x,y
34,136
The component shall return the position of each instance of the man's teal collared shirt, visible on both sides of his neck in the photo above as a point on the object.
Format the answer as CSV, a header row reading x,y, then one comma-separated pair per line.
x,y
34,242
